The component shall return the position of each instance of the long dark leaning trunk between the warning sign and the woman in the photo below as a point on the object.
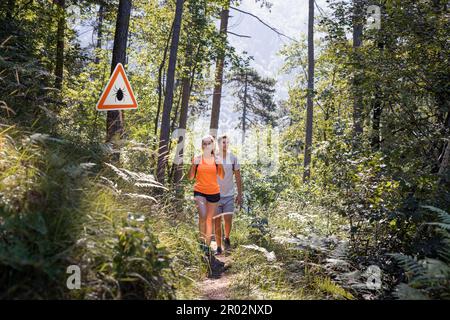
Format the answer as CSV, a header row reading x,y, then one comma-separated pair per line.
x,y
168,99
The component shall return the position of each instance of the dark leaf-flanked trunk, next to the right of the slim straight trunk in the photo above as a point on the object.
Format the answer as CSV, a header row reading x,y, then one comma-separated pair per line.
x,y
357,77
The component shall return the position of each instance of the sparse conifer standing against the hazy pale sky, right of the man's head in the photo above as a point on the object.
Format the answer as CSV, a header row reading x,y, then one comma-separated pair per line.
x,y
255,97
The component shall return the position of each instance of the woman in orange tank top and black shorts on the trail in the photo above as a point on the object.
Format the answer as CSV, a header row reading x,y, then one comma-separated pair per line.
x,y
205,169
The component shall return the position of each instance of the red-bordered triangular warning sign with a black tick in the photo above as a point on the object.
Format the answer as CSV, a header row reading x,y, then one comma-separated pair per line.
x,y
118,94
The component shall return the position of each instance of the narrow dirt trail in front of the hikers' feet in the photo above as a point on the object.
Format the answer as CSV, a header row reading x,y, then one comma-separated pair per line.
x,y
216,286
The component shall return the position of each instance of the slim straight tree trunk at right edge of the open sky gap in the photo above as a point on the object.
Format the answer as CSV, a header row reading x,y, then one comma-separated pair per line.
x,y
309,108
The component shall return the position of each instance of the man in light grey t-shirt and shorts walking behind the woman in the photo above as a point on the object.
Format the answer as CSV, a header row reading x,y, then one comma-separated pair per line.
x,y
227,200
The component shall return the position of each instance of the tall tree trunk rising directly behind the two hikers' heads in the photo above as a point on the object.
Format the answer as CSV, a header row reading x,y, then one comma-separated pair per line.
x,y
217,93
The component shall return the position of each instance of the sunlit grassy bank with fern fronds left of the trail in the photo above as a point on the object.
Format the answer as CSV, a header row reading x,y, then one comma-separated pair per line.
x,y
53,214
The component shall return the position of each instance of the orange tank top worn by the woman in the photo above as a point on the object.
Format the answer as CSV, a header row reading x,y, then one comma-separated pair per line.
x,y
206,177
